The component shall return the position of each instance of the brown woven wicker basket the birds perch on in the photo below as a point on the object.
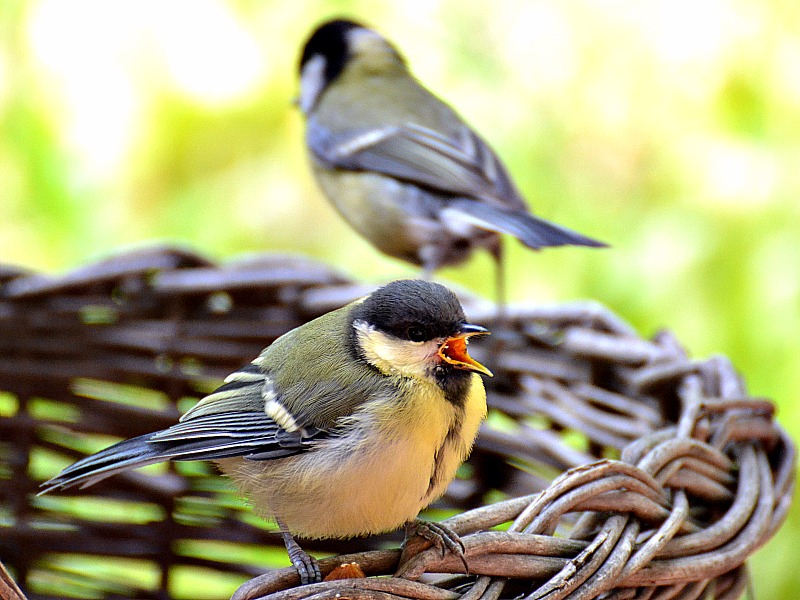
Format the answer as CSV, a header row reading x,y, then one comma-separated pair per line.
x,y
610,467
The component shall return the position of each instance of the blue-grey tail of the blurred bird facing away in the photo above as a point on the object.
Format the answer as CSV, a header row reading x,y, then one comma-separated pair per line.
x,y
530,230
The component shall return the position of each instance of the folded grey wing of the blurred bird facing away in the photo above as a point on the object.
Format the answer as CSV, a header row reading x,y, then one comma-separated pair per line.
x,y
459,165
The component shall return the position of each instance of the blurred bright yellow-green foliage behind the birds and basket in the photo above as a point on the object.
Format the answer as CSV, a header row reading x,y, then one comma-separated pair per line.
x,y
669,129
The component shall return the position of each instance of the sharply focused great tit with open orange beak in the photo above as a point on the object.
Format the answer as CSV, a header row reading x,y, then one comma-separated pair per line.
x,y
348,425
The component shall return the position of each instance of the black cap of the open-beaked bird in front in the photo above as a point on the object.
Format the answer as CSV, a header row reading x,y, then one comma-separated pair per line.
x,y
412,310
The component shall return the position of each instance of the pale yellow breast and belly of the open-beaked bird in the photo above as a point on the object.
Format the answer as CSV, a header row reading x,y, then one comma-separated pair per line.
x,y
392,462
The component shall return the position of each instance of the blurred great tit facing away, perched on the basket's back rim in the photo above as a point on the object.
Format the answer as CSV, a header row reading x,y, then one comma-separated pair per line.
x,y
400,165
